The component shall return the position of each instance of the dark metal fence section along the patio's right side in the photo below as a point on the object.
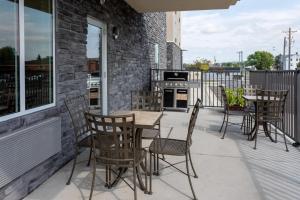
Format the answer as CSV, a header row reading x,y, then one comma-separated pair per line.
x,y
283,80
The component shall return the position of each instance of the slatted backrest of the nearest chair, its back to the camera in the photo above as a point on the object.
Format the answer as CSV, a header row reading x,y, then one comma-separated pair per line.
x,y
118,130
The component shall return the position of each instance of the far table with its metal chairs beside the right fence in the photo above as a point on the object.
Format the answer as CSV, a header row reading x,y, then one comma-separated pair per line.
x,y
262,108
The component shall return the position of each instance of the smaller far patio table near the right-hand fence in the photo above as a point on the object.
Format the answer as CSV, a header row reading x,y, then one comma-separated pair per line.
x,y
253,99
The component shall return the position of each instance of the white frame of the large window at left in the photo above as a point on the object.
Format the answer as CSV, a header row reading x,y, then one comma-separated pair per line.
x,y
21,43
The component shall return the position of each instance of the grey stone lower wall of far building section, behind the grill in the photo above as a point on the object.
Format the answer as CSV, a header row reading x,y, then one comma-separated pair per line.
x,y
173,56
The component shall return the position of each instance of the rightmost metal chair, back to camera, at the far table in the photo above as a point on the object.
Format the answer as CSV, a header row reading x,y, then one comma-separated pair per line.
x,y
270,109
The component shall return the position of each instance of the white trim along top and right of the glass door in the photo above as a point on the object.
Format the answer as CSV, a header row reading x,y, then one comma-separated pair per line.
x,y
104,86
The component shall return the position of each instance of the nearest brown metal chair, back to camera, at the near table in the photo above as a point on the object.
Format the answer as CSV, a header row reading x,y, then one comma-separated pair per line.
x,y
123,150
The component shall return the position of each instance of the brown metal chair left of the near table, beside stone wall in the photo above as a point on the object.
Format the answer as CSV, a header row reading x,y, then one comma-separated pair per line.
x,y
77,106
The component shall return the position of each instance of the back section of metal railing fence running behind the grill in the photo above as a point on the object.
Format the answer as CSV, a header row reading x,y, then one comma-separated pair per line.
x,y
205,85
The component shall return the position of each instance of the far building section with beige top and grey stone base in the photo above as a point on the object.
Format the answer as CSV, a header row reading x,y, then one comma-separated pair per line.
x,y
174,52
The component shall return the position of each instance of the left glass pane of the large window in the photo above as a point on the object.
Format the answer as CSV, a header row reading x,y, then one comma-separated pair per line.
x,y
9,57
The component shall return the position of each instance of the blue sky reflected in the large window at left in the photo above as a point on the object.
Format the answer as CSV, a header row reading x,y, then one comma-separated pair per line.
x,y
38,30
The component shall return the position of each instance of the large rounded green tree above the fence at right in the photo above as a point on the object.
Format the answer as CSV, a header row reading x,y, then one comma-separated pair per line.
x,y
262,60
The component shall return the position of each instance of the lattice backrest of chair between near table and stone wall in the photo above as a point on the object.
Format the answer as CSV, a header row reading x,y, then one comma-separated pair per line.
x,y
77,106
